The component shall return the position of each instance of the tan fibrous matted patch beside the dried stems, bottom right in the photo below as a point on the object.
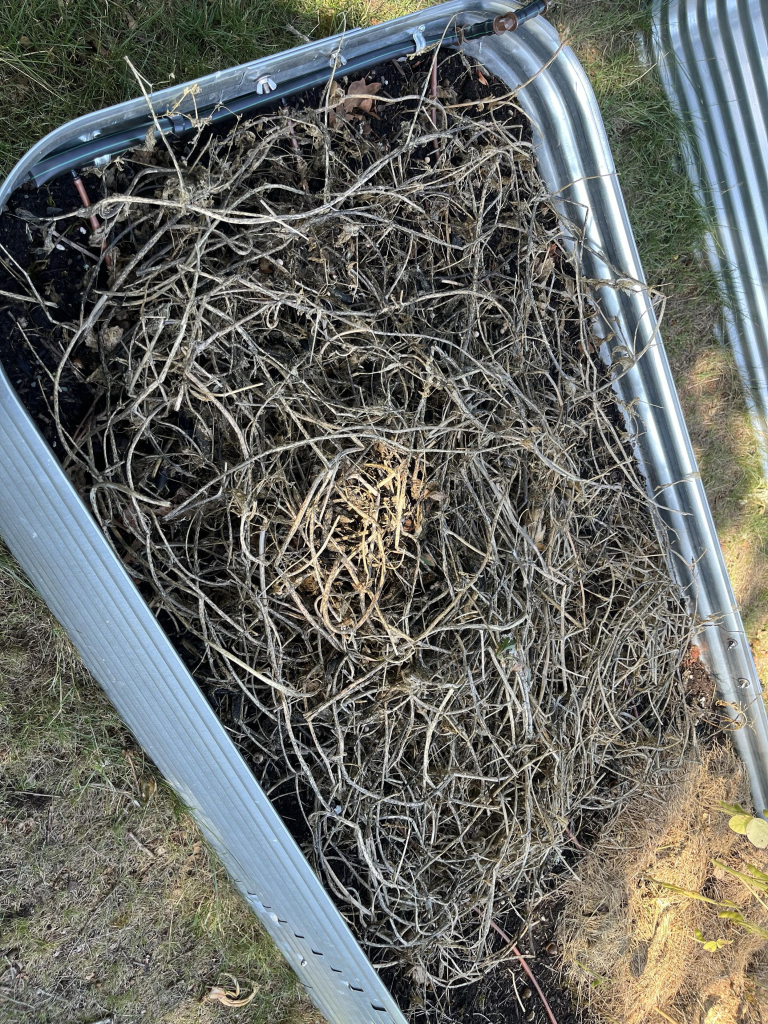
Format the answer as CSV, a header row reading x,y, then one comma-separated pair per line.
x,y
632,947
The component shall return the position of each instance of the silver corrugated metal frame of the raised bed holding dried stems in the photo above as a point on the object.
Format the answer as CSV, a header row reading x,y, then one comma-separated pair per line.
x,y
58,543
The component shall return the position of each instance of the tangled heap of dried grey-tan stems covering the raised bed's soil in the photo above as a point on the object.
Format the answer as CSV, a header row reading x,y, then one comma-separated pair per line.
x,y
355,439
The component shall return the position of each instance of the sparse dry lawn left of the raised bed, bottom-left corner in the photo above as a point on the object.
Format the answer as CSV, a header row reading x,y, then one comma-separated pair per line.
x,y
111,906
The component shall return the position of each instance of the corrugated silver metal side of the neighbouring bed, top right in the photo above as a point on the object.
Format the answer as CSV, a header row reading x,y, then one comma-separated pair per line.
x,y
713,60
